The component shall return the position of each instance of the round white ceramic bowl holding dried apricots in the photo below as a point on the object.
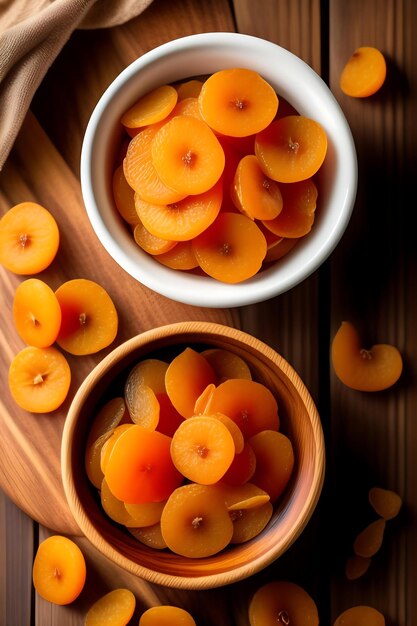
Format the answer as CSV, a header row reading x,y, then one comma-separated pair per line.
x,y
204,54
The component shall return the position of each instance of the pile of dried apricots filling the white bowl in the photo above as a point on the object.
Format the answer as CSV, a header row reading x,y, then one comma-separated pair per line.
x,y
218,175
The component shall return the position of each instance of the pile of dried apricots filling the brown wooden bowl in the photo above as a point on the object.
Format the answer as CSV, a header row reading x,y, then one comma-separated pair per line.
x,y
191,457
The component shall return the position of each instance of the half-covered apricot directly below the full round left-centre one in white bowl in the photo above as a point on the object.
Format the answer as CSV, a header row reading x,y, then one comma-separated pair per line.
x,y
182,220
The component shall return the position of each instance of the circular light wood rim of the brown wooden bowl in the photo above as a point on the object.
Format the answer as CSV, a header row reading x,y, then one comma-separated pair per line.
x,y
208,581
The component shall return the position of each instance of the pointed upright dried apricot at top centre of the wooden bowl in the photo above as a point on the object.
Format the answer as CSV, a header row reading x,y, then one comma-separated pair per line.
x,y
187,376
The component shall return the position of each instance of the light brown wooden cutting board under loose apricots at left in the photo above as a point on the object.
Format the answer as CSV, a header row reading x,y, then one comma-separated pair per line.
x,y
29,443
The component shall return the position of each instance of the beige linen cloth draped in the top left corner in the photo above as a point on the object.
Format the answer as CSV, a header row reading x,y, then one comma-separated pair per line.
x,y
32,33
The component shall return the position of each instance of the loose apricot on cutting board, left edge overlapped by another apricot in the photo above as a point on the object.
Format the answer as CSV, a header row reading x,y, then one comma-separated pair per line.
x,y
89,317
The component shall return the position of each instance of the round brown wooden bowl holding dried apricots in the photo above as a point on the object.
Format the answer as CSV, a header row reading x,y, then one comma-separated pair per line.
x,y
299,420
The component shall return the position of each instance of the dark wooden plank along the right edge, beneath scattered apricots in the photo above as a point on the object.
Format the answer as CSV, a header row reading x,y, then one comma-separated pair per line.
x,y
374,436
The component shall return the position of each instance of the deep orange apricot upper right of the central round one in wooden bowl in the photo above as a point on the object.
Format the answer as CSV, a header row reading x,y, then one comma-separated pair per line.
x,y
251,405
